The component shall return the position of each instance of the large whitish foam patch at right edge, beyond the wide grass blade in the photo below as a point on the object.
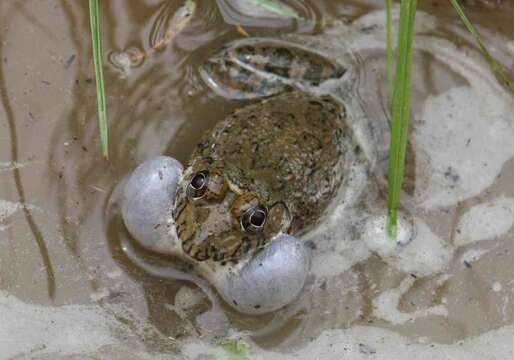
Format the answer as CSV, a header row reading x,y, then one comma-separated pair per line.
x,y
467,137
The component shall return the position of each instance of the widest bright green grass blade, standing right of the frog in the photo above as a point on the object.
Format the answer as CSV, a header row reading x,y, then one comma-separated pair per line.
x,y
401,111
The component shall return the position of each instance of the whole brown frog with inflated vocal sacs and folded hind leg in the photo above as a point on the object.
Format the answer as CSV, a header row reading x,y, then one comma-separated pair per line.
x,y
260,179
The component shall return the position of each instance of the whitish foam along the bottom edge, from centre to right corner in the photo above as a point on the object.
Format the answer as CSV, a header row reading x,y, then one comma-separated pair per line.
x,y
365,342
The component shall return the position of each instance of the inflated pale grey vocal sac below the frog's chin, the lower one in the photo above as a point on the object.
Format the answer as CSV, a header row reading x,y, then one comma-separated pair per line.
x,y
271,279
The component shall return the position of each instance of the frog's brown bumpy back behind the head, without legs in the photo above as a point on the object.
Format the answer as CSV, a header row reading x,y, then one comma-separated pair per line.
x,y
287,148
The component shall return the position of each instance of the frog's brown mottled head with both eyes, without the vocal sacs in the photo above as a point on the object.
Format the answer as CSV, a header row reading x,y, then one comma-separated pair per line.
x,y
217,219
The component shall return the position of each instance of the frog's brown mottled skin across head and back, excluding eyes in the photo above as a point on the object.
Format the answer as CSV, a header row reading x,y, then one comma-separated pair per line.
x,y
284,153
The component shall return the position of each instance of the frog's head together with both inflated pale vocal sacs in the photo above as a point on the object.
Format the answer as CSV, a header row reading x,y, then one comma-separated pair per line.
x,y
217,212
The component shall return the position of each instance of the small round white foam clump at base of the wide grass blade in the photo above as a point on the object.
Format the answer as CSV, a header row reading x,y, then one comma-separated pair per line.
x,y
376,238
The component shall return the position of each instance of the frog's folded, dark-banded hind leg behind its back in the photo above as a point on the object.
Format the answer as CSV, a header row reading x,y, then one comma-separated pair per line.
x,y
258,67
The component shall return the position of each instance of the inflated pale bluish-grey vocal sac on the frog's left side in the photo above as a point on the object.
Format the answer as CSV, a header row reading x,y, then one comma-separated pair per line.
x,y
147,202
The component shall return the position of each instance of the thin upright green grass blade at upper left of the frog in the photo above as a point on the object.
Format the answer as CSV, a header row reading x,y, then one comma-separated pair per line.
x,y
100,89
